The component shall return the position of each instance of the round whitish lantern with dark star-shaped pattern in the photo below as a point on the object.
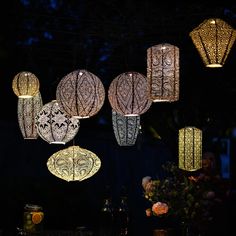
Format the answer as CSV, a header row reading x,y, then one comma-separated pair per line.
x,y
54,126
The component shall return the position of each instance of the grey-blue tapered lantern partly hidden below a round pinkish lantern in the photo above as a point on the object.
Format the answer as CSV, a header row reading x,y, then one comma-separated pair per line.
x,y
126,128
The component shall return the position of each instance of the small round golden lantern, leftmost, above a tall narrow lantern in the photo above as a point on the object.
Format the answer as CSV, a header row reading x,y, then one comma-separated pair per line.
x,y
25,84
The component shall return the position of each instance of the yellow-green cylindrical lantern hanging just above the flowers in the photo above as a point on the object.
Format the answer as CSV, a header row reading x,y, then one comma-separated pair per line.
x,y
190,148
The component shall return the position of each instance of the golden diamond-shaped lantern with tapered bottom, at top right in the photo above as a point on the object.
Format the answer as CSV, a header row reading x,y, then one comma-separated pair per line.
x,y
213,39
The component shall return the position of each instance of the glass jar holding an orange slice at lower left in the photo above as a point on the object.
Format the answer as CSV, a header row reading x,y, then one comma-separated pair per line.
x,y
33,219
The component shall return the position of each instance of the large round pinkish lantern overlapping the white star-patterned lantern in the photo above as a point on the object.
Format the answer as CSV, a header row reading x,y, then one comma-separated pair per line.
x,y
80,94
